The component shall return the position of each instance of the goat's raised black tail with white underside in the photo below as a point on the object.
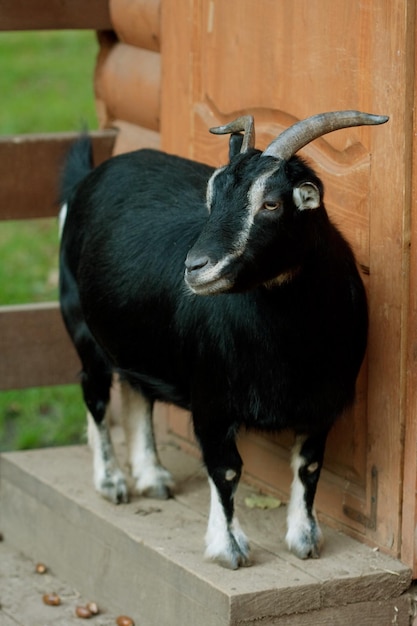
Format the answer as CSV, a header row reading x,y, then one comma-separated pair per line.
x,y
79,163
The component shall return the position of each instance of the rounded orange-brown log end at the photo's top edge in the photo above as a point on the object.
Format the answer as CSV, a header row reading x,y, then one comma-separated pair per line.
x,y
137,23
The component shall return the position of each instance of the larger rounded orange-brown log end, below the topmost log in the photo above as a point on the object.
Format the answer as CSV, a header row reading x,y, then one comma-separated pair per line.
x,y
128,82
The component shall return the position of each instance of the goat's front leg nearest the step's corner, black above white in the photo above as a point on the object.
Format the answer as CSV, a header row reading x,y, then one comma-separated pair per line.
x,y
225,540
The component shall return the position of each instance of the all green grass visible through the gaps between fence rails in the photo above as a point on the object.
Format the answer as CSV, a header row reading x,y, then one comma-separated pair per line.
x,y
46,85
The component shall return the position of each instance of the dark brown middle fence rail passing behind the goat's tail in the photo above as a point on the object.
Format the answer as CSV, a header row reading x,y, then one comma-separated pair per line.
x,y
31,167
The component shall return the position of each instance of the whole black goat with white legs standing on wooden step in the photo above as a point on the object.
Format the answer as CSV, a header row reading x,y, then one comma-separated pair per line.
x,y
268,331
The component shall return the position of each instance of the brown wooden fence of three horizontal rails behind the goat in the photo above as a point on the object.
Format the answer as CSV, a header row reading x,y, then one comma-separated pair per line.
x,y
34,347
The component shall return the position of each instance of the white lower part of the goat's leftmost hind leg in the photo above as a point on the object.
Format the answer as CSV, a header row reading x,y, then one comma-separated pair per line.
x,y
109,479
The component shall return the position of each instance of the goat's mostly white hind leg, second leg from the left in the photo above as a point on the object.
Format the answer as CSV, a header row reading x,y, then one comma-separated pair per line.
x,y
151,478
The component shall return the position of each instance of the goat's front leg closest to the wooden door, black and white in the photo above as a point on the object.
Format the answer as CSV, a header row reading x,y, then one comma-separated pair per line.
x,y
304,536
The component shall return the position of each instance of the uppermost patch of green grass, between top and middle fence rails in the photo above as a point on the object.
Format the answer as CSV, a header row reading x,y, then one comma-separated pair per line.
x,y
46,81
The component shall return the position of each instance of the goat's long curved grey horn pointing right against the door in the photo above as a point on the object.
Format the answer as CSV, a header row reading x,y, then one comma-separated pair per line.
x,y
300,134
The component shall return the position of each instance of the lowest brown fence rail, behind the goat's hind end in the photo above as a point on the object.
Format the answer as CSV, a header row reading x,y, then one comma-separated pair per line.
x,y
35,349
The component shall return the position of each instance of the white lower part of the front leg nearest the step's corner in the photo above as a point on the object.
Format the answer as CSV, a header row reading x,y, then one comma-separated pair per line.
x,y
224,543
